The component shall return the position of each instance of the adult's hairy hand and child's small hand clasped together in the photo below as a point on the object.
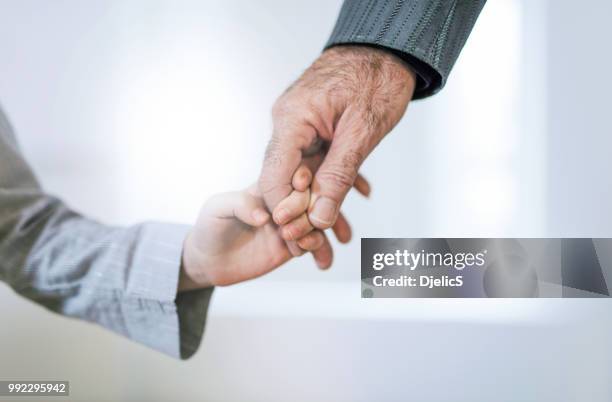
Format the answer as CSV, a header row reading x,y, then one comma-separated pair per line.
x,y
325,125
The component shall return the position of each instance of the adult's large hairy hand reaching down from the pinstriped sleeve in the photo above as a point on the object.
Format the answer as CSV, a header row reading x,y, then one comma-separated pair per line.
x,y
345,103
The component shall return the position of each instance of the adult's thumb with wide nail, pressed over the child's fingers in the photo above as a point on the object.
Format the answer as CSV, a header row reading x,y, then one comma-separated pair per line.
x,y
333,180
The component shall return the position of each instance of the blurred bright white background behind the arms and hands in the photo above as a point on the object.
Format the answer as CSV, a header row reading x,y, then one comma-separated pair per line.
x,y
140,110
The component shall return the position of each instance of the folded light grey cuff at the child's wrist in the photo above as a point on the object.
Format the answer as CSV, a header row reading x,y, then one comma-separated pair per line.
x,y
155,315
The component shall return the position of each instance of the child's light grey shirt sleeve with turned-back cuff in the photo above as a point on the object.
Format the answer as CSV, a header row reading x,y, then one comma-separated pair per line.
x,y
124,279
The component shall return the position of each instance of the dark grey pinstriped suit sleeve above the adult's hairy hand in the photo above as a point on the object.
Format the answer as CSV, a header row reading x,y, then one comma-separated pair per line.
x,y
426,34
